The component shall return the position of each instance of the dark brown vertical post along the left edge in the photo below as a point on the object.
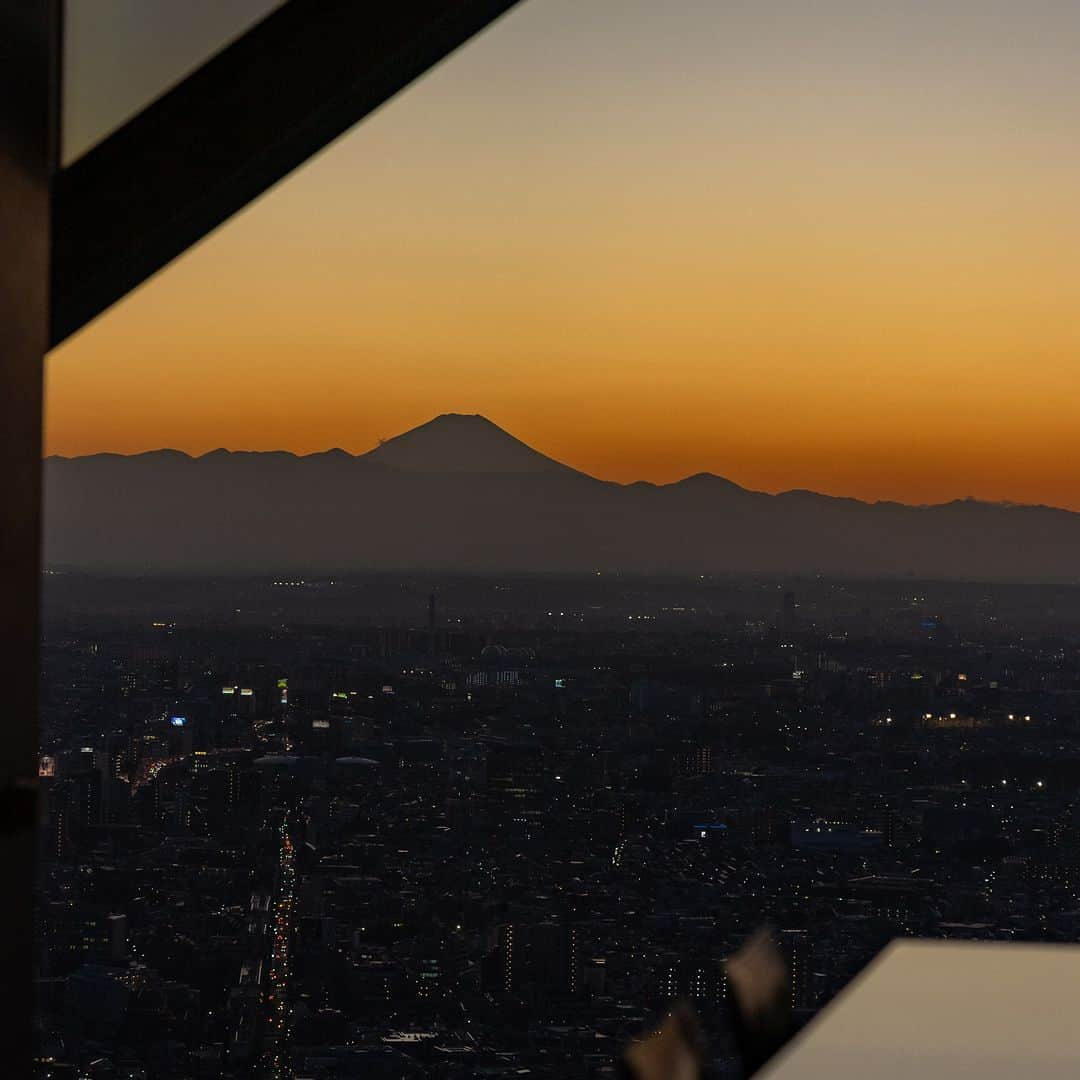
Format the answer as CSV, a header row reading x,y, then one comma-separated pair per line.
x,y
29,84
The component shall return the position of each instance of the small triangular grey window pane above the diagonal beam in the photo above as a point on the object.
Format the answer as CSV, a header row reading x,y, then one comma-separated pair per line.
x,y
119,56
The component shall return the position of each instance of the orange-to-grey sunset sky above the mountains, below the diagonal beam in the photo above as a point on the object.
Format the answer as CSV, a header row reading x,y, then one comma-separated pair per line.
x,y
802,245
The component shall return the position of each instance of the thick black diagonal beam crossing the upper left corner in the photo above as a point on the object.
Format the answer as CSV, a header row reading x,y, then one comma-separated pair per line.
x,y
251,115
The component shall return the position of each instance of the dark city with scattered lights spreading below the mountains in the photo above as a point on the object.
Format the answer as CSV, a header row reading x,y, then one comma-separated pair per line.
x,y
454,827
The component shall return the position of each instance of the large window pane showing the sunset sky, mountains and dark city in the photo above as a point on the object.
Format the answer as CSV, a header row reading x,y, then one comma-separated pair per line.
x,y
508,754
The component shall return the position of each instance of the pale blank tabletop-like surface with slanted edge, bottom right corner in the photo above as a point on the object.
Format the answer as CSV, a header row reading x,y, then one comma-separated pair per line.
x,y
934,1010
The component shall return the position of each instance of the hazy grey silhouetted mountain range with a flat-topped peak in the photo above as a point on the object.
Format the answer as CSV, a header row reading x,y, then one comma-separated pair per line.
x,y
462,494
